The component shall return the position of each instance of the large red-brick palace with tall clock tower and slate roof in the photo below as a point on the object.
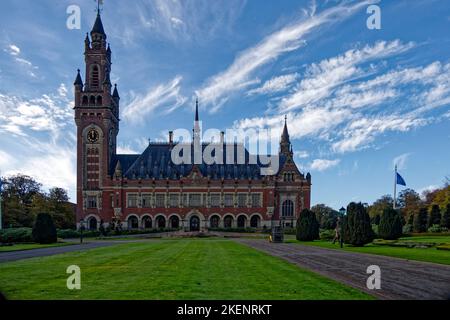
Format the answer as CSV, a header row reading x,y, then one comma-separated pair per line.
x,y
149,190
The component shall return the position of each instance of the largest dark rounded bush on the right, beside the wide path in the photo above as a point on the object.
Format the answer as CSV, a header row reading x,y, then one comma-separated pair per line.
x,y
358,228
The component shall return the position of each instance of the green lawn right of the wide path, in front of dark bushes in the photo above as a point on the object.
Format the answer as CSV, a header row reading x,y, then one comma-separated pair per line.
x,y
420,254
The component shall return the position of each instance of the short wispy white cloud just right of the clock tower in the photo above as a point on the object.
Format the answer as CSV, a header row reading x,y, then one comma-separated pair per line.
x,y
165,96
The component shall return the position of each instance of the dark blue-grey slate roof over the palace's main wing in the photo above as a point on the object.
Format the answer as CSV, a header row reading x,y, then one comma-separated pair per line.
x,y
155,162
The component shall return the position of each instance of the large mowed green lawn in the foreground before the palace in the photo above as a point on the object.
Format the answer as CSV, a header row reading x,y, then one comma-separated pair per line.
x,y
175,269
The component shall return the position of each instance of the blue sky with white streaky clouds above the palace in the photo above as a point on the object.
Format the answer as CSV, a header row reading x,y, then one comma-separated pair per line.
x,y
357,100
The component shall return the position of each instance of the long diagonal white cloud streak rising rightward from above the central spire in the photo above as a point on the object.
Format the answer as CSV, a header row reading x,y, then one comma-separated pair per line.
x,y
290,38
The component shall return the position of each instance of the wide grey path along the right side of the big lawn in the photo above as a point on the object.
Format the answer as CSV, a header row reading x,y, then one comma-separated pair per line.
x,y
400,278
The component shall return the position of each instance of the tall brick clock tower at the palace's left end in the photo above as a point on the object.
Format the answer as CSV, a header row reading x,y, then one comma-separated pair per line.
x,y
97,121
